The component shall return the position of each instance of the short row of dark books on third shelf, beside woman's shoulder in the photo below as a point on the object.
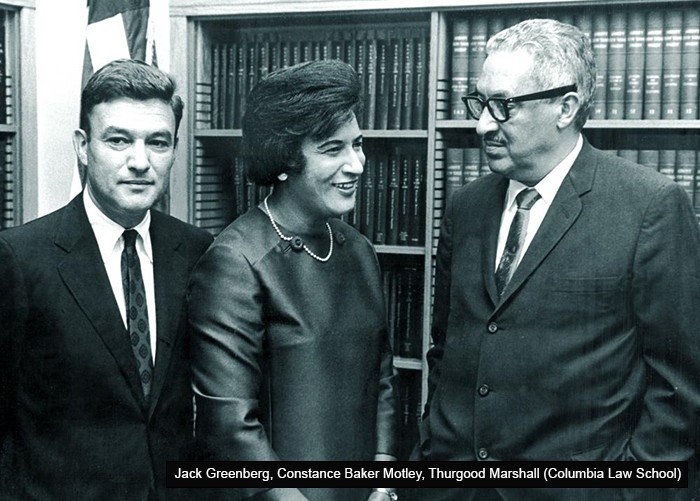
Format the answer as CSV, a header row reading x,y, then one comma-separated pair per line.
x,y
403,294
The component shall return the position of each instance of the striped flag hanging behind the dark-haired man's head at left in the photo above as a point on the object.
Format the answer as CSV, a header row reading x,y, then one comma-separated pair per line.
x,y
117,29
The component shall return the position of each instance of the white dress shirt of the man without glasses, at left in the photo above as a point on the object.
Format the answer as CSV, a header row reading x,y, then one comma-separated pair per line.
x,y
111,244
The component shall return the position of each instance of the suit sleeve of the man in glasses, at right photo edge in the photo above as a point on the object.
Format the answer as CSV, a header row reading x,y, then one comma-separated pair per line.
x,y
666,284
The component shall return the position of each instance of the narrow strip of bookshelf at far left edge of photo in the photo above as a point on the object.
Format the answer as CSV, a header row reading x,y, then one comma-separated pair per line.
x,y
17,112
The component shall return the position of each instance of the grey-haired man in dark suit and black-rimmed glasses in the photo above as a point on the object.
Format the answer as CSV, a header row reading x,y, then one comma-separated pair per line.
x,y
566,320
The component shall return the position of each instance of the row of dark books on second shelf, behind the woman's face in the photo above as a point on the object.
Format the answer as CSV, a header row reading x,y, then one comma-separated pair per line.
x,y
390,198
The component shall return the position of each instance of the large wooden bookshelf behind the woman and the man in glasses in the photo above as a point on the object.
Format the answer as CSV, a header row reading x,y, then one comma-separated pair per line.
x,y
207,176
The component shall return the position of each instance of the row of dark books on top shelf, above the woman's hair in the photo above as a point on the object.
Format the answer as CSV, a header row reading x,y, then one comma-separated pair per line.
x,y
392,64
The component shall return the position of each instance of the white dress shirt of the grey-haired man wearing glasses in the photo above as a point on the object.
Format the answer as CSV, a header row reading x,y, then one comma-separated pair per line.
x,y
547,188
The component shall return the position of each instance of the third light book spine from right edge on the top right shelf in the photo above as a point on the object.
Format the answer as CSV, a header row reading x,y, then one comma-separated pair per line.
x,y
653,65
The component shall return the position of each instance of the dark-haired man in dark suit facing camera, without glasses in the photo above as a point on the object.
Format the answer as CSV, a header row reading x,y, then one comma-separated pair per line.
x,y
94,367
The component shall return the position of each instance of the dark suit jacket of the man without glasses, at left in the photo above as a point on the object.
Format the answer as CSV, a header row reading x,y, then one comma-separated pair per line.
x,y
73,420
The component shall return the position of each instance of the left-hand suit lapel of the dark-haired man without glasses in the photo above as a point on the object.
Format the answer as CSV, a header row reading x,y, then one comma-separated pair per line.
x,y
86,279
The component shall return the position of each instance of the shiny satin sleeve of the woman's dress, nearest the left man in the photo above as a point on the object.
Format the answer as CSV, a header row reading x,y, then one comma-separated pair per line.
x,y
227,328
